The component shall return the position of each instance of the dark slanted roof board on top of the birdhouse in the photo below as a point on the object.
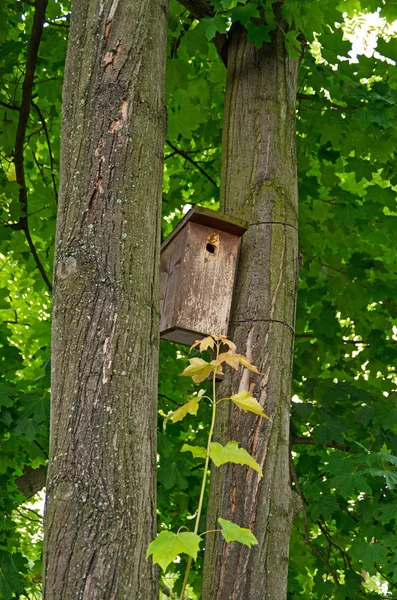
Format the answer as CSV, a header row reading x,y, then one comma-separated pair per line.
x,y
210,218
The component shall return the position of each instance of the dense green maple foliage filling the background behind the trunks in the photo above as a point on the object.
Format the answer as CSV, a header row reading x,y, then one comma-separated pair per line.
x,y
344,418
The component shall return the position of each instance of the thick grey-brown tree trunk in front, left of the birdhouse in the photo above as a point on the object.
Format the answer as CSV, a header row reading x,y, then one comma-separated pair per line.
x,y
101,503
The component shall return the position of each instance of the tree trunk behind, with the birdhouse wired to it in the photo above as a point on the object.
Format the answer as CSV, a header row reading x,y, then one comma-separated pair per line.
x,y
259,185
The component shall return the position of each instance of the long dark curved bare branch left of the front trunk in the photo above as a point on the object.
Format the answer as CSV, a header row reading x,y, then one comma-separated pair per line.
x,y
24,112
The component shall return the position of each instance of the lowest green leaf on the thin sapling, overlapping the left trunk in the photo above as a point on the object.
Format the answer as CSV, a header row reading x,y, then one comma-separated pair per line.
x,y
167,546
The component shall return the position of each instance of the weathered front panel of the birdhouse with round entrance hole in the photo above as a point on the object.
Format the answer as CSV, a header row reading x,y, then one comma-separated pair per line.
x,y
207,280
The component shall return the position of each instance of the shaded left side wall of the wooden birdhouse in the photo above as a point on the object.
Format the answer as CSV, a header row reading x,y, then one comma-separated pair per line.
x,y
170,273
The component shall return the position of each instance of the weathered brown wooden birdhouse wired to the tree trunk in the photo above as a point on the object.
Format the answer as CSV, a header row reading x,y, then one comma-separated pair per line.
x,y
198,270
